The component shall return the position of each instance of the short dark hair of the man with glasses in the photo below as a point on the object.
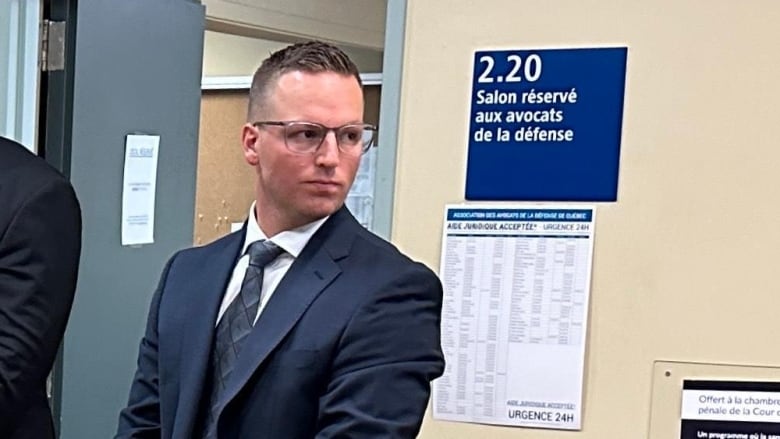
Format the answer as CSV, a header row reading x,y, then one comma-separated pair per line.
x,y
309,57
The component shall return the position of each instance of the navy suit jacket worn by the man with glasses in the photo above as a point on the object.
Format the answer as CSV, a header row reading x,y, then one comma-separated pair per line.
x,y
345,348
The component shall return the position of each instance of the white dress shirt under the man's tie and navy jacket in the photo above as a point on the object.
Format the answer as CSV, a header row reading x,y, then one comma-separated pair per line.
x,y
291,241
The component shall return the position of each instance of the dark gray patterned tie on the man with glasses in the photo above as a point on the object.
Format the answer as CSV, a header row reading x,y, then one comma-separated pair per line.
x,y
235,325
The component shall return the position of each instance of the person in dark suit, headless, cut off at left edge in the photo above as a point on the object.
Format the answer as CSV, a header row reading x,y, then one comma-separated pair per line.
x,y
40,243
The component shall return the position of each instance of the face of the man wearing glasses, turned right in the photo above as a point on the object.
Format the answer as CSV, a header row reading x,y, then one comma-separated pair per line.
x,y
294,189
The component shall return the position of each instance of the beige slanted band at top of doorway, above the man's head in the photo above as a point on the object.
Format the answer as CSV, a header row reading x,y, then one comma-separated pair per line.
x,y
358,23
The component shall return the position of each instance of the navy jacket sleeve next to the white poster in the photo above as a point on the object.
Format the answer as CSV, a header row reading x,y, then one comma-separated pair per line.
x,y
387,357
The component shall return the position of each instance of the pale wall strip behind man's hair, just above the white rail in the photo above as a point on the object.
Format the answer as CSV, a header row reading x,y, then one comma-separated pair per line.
x,y
233,55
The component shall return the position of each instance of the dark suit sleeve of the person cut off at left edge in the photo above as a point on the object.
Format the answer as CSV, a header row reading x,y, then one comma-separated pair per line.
x,y
39,258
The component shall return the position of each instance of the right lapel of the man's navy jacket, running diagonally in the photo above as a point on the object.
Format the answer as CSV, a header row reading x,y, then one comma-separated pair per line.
x,y
313,270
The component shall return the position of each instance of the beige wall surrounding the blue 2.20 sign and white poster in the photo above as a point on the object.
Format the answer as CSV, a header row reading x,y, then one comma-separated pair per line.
x,y
685,261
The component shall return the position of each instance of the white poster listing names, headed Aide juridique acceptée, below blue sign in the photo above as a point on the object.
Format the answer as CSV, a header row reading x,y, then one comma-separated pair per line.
x,y
516,286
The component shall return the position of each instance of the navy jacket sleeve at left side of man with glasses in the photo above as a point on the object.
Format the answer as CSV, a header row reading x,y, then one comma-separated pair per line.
x,y
141,417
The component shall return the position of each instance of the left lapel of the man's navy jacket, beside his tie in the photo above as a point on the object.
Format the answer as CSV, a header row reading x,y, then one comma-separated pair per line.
x,y
207,284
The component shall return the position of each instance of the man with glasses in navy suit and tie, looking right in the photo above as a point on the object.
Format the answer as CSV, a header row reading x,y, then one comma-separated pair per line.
x,y
338,336
